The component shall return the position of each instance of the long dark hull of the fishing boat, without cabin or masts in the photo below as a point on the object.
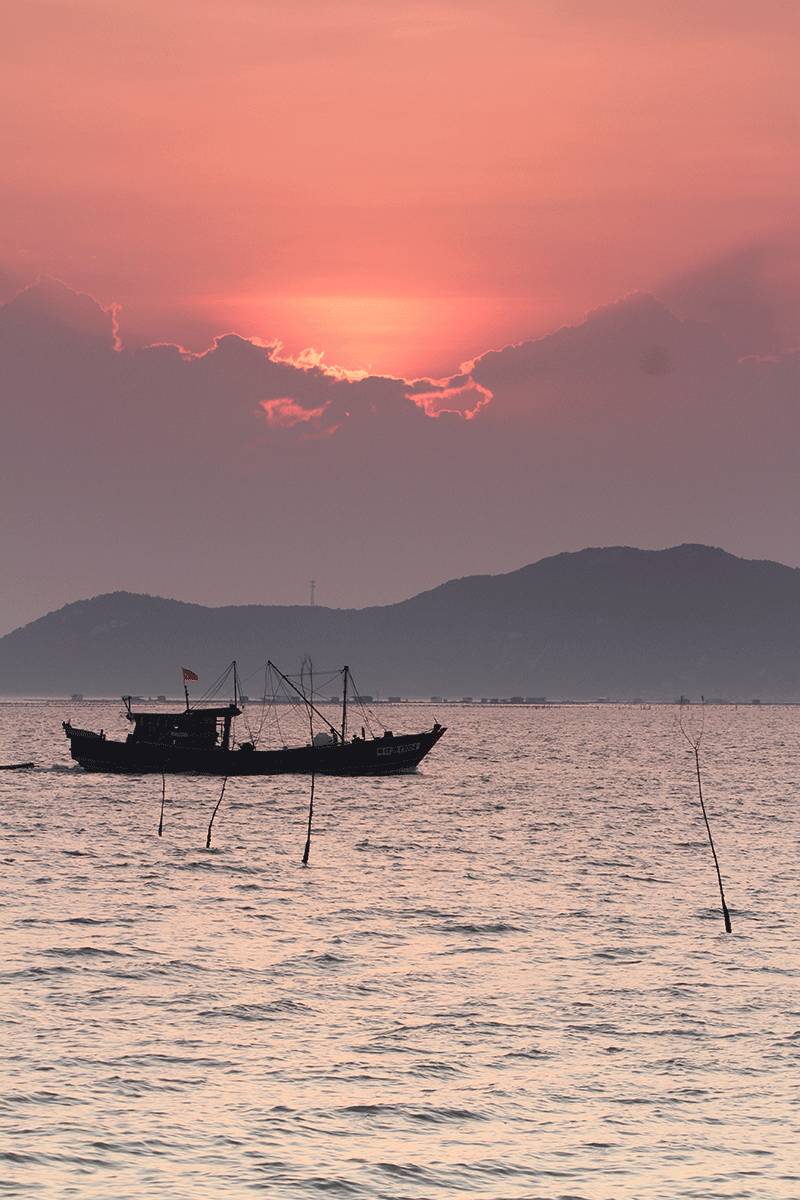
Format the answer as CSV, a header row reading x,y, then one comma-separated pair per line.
x,y
376,757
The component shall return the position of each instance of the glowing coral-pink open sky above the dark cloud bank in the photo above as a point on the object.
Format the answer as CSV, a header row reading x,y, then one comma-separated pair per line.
x,y
400,185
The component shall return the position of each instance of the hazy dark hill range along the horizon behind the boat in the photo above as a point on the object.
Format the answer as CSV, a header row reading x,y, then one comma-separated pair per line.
x,y
615,622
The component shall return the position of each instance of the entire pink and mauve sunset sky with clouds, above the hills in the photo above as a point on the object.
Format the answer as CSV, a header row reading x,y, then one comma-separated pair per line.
x,y
383,293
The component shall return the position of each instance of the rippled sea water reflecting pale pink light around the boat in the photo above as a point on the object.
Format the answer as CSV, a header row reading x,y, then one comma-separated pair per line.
x,y
503,977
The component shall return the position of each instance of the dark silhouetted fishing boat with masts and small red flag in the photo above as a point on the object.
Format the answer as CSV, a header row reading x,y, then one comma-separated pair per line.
x,y
201,740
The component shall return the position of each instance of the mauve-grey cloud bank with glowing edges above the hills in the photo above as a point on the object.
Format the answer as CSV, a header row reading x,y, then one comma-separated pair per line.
x,y
238,475
